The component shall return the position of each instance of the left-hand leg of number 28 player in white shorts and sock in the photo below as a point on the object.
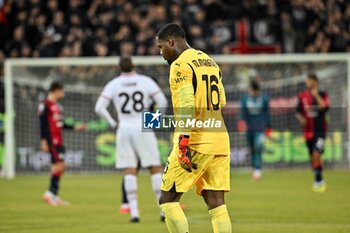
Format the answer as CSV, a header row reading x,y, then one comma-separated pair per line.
x,y
127,160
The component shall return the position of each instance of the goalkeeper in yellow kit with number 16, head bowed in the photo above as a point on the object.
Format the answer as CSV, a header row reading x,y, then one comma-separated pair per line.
x,y
200,155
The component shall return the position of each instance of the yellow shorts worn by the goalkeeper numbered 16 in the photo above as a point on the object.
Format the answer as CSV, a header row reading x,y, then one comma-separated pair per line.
x,y
213,173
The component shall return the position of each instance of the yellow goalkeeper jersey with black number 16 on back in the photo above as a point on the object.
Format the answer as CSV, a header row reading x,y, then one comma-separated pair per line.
x,y
195,74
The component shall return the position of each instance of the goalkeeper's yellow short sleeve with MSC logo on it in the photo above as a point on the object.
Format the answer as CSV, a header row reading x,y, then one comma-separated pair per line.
x,y
181,75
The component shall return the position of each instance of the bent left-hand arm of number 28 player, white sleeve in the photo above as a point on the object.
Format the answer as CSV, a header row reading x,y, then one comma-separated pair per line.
x,y
102,104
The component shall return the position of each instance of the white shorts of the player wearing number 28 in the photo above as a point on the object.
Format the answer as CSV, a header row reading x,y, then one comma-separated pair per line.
x,y
134,146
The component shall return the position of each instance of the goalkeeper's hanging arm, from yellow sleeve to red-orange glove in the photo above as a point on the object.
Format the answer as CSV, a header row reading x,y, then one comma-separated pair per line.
x,y
186,97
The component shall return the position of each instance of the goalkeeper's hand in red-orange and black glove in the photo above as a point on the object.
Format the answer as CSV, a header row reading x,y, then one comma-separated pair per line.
x,y
184,157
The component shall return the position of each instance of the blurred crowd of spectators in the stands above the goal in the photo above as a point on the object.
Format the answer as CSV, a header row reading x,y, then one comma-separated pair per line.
x,y
72,28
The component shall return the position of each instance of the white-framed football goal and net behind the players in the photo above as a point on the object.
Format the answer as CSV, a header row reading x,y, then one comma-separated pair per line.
x,y
282,77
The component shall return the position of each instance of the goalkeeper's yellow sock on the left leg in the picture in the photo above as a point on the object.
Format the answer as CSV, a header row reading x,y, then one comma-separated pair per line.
x,y
174,217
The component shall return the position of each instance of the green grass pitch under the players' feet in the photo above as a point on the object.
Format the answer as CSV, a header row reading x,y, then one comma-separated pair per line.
x,y
281,203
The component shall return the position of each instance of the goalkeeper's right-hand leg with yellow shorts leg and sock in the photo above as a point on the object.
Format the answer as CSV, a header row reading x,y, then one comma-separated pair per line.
x,y
212,185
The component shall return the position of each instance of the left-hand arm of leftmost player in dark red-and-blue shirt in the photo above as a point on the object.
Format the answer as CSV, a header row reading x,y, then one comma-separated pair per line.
x,y
44,127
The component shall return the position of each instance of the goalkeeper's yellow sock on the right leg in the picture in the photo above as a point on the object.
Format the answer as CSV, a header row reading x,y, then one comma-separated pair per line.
x,y
220,220
